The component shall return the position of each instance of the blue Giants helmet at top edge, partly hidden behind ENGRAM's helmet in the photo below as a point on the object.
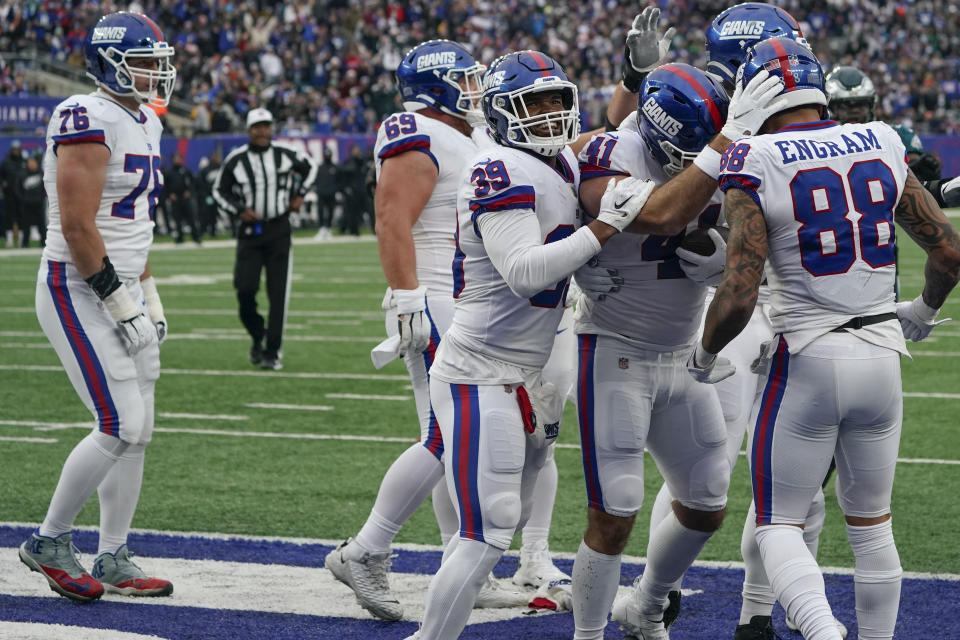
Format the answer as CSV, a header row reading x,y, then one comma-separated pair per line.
x,y
738,28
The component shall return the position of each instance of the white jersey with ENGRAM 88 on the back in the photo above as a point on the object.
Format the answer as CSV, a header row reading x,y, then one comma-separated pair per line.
x,y
828,193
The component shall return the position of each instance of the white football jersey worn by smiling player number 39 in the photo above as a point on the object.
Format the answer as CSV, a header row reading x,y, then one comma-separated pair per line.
x,y
495,333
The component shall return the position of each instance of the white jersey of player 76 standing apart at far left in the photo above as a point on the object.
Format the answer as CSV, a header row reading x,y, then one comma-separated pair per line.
x,y
133,183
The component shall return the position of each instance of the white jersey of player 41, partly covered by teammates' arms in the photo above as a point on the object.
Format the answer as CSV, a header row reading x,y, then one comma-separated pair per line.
x,y
657,307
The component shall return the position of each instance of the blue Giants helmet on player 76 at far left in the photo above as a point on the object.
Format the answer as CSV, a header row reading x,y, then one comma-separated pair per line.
x,y
121,37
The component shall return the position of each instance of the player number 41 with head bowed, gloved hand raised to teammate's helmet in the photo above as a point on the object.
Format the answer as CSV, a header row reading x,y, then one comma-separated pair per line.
x,y
631,396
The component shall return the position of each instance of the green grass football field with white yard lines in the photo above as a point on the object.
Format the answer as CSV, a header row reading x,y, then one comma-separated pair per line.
x,y
221,463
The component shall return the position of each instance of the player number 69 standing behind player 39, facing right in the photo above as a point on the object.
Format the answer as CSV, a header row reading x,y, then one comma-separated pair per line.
x,y
421,153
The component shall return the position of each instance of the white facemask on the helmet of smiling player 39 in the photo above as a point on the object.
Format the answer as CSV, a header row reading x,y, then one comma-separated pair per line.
x,y
563,125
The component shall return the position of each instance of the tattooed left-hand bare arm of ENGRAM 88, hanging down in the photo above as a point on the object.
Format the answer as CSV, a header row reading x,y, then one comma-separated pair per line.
x,y
736,296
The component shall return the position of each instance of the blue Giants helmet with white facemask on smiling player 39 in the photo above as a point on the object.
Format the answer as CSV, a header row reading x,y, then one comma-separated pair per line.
x,y
508,81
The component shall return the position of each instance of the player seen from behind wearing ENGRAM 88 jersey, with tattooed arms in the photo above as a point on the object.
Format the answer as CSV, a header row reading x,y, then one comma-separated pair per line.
x,y
838,336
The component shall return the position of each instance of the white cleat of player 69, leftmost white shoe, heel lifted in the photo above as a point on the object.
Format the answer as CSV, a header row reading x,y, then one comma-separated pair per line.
x,y
365,573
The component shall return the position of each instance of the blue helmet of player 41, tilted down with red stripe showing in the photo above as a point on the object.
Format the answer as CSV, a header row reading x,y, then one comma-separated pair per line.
x,y
681,109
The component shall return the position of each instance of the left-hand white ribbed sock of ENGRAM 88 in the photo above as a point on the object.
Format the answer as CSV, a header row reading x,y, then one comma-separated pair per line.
x,y
796,580
